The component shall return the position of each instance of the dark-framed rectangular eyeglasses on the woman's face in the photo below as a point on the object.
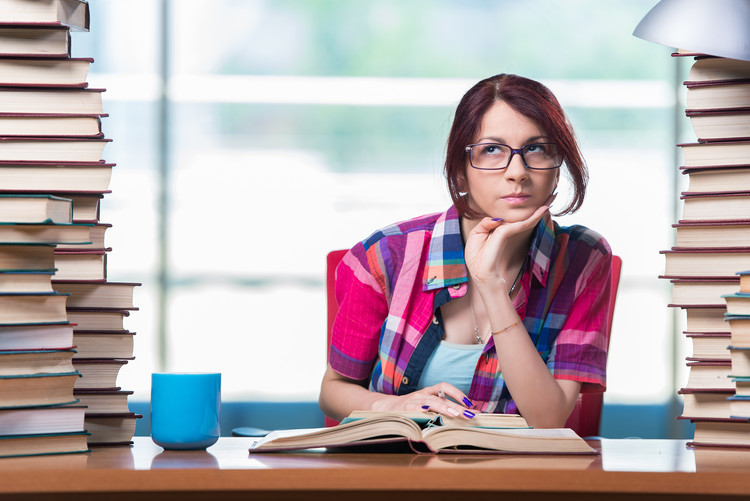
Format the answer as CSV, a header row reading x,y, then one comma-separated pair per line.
x,y
497,156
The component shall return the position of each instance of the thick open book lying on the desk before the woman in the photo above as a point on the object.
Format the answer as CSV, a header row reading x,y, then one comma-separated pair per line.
x,y
425,432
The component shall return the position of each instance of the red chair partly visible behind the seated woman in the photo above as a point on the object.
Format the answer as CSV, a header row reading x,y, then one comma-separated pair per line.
x,y
587,413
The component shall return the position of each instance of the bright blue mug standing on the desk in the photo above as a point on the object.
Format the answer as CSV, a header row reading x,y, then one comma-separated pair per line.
x,y
185,410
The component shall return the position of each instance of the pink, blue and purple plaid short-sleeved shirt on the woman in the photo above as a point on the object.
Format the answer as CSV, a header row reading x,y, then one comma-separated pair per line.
x,y
390,287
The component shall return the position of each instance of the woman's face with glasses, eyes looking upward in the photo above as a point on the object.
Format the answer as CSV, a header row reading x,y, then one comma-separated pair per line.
x,y
515,192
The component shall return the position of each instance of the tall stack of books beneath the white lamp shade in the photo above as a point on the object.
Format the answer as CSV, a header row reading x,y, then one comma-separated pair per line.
x,y
712,238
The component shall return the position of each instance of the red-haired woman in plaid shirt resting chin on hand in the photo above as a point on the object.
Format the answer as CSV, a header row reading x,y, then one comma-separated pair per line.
x,y
489,306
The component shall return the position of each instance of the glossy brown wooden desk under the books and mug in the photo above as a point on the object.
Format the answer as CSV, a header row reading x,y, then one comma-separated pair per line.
x,y
651,469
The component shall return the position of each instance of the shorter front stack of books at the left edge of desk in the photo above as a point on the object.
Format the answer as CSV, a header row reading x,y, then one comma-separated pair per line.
x,y
37,376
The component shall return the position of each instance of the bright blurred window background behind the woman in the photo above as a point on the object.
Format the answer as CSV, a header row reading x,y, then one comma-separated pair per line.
x,y
253,136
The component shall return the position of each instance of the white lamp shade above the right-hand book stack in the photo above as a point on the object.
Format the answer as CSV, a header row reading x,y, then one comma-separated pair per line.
x,y
716,27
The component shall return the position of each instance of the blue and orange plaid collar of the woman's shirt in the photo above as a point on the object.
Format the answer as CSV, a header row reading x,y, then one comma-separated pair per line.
x,y
445,258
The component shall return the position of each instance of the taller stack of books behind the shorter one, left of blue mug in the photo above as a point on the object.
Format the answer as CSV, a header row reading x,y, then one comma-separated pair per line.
x,y
51,147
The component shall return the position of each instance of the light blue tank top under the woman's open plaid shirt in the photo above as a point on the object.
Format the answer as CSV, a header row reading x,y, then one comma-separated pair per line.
x,y
451,363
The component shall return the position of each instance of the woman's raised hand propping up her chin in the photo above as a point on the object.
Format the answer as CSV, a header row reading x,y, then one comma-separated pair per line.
x,y
486,243
